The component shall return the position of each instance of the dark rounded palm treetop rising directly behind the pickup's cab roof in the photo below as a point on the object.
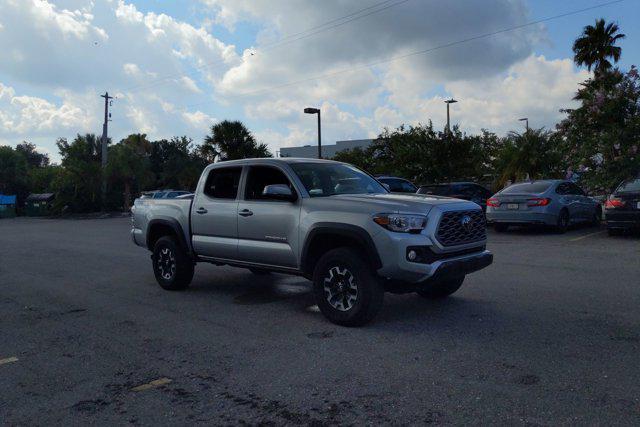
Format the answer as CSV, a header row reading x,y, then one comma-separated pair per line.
x,y
231,140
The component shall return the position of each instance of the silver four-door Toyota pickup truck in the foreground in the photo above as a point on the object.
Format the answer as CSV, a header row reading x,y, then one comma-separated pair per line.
x,y
327,221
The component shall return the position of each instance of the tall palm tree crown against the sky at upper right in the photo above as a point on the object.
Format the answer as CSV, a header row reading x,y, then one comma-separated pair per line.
x,y
596,46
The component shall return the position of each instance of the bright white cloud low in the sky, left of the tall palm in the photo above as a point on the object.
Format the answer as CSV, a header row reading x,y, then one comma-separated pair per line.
x,y
535,87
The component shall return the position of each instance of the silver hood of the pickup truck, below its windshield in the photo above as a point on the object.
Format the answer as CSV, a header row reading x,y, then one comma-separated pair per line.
x,y
404,202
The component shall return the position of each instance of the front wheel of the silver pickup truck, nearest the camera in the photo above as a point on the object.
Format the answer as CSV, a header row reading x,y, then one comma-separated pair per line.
x,y
346,289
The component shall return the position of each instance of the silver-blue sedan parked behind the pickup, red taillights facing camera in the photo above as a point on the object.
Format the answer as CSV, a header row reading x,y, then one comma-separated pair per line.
x,y
557,203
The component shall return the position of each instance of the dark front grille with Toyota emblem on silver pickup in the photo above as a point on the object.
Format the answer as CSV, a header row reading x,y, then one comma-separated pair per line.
x,y
452,231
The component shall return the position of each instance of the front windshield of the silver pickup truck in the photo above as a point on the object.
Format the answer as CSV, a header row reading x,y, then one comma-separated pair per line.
x,y
328,179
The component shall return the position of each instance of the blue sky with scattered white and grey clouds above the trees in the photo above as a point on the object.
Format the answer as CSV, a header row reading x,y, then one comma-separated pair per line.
x,y
176,67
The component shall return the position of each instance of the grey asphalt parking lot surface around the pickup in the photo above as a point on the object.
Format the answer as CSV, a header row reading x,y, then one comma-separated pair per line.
x,y
549,334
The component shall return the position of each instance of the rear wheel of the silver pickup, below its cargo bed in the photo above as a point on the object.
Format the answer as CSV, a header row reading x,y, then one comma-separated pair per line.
x,y
171,265
